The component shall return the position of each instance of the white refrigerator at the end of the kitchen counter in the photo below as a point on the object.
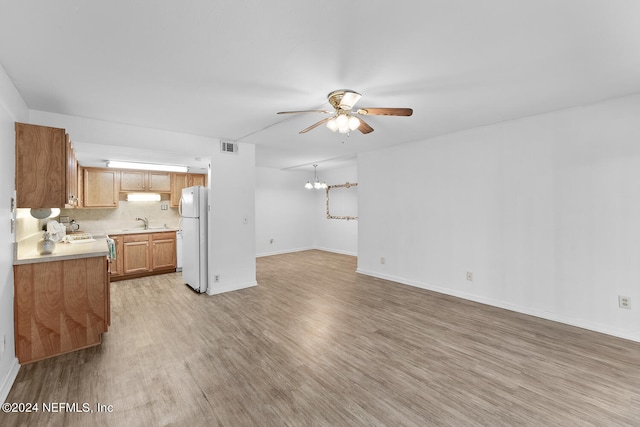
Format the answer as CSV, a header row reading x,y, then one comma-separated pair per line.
x,y
194,210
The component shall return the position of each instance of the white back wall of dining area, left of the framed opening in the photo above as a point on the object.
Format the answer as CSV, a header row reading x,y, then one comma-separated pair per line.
x,y
285,212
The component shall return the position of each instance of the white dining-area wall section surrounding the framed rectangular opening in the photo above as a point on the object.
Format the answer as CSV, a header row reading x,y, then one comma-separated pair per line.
x,y
335,235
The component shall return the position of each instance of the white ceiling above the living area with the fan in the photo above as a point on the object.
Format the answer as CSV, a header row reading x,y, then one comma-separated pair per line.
x,y
224,68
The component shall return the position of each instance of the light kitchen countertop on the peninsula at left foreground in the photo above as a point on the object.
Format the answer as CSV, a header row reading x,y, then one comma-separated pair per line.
x,y
26,251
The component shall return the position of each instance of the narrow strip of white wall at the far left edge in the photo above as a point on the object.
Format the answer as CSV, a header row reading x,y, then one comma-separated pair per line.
x,y
12,109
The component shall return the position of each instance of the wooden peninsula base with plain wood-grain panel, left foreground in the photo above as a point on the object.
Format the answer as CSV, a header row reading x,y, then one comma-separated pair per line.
x,y
60,306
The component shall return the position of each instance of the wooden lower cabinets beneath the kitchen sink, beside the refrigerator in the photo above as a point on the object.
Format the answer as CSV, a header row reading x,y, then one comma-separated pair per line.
x,y
143,254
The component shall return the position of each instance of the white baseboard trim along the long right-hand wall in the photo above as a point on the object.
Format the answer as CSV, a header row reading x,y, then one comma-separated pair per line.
x,y
579,323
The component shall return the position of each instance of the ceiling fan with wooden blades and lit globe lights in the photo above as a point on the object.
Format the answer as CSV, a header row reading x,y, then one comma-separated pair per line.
x,y
343,117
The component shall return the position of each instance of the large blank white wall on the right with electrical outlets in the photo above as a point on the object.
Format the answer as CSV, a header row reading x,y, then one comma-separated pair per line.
x,y
545,212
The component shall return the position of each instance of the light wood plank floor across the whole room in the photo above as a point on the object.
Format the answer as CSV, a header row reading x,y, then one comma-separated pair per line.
x,y
317,344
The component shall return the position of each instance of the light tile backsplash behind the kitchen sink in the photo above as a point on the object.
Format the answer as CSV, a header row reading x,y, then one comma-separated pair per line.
x,y
124,217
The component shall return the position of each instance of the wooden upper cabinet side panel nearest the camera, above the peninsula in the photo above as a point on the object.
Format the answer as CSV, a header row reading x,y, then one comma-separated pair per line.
x,y
41,167
